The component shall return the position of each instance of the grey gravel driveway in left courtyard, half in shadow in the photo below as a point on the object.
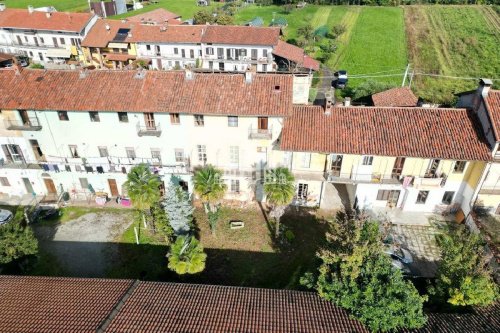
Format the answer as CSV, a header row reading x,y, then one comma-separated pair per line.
x,y
85,246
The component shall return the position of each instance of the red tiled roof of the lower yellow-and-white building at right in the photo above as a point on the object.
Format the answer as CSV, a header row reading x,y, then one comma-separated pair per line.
x,y
412,132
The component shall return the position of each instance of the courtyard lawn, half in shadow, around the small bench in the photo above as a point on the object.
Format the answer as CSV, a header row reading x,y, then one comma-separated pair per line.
x,y
244,257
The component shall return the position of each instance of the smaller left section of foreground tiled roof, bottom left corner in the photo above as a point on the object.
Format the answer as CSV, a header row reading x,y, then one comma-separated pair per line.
x,y
43,305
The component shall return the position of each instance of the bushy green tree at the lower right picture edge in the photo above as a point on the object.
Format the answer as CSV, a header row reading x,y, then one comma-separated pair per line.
x,y
463,277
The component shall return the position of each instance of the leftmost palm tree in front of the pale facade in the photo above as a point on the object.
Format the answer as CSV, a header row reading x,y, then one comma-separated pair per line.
x,y
143,188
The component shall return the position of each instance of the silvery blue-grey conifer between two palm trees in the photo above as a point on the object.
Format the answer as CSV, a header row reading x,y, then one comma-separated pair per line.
x,y
178,209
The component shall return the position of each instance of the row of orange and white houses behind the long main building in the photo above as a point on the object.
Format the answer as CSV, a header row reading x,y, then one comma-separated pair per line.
x,y
116,44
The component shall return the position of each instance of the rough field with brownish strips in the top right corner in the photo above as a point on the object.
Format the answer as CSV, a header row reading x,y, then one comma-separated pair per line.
x,y
452,40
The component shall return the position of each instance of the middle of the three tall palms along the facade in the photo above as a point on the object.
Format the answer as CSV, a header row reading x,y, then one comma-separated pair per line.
x,y
209,186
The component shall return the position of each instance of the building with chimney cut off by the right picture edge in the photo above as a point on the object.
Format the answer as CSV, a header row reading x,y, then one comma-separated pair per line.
x,y
485,103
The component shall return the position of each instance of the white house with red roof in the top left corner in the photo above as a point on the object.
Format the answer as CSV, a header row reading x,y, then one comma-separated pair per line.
x,y
45,37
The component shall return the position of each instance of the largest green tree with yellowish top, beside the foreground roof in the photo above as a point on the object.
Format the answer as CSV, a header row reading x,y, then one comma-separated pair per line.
x,y
357,276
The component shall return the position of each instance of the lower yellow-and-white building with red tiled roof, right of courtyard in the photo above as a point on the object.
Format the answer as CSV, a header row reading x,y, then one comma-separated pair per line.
x,y
412,159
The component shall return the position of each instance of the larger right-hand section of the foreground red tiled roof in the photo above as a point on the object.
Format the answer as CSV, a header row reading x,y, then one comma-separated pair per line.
x,y
169,307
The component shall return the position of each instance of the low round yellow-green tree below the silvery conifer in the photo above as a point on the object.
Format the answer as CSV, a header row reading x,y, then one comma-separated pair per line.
x,y
186,256
